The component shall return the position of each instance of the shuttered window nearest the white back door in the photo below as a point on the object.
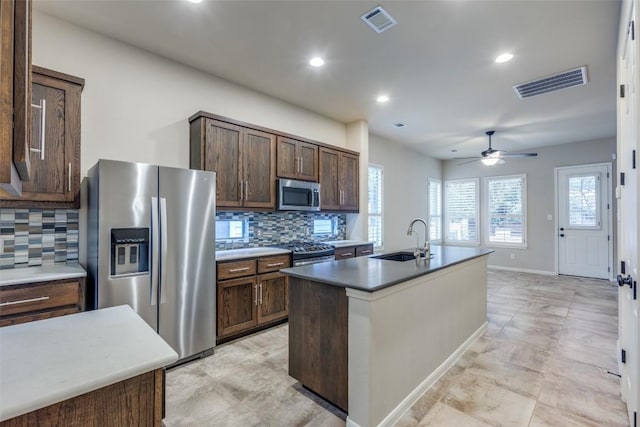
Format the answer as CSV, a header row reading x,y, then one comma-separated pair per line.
x,y
505,218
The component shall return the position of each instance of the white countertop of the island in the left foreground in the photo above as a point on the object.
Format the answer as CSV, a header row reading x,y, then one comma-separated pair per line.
x,y
48,361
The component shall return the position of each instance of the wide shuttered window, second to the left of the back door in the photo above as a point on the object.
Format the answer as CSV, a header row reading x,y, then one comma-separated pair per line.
x,y
461,210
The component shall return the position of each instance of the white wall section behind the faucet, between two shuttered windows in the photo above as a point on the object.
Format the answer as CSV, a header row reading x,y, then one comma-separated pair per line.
x,y
405,189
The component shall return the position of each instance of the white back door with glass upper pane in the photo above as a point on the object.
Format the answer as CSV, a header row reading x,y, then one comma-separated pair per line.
x,y
583,221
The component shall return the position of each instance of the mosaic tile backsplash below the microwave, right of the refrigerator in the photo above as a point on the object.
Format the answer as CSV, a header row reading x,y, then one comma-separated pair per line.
x,y
274,228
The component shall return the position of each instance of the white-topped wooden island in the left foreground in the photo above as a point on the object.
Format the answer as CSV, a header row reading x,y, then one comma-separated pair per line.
x,y
101,367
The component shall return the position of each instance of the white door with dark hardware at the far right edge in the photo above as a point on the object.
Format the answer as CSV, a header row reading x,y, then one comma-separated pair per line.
x,y
628,225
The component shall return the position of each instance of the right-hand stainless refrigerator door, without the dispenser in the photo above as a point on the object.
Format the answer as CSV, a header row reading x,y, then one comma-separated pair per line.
x,y
187,260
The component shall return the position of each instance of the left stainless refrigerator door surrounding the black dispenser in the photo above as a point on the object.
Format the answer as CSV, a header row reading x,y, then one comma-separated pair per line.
x,y
125,195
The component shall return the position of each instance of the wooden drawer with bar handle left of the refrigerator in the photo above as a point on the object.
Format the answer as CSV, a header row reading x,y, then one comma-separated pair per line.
x,y
19,299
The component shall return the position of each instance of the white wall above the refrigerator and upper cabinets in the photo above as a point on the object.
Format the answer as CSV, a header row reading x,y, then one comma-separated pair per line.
x,y
135,105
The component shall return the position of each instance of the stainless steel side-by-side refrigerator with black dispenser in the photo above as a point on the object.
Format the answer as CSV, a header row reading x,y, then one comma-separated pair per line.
x,y
151,245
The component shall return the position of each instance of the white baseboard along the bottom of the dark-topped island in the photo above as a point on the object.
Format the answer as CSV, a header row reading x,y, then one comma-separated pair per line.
x,y
397,413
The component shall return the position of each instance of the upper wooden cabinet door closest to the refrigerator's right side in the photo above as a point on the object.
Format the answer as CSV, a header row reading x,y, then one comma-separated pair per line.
x,y
222,155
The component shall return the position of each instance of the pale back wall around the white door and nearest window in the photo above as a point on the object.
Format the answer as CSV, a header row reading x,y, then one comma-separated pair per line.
x,y
540,253
